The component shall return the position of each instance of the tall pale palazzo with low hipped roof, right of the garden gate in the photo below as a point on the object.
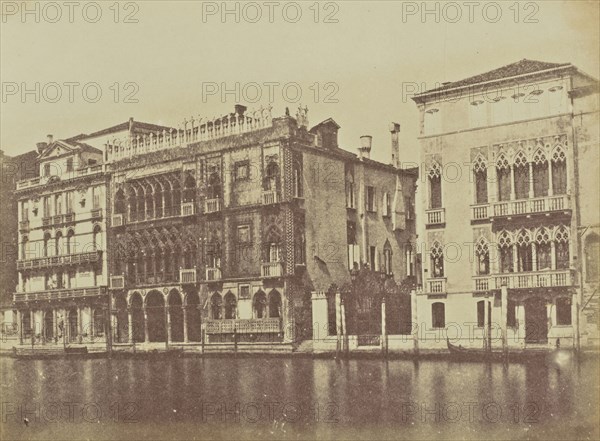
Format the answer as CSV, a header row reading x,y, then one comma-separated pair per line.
x,y
528,135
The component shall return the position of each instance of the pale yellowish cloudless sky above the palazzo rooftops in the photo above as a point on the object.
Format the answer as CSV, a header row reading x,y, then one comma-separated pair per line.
x,y
76,69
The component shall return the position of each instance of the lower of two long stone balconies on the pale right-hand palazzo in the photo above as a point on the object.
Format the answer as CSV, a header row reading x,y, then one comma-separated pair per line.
x,y
523,280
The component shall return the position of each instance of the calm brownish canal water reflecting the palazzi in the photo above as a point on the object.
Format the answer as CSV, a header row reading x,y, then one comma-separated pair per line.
x,y
298,398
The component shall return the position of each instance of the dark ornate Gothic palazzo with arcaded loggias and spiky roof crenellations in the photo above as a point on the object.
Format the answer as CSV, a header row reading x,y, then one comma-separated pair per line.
x,y
233,229
